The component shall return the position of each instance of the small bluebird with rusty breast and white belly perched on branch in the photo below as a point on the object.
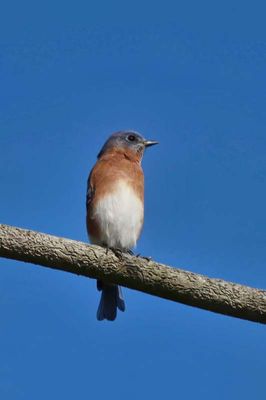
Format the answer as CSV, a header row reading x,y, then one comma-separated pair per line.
x,y
115,205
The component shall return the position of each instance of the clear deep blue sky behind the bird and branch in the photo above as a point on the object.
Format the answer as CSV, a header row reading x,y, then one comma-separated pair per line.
x,y
192,76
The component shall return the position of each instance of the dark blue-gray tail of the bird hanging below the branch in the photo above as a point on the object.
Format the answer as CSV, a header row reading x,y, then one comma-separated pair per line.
x,y
111,299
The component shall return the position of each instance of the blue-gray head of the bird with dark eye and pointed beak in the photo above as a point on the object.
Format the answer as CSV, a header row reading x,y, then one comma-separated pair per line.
x,y
130,140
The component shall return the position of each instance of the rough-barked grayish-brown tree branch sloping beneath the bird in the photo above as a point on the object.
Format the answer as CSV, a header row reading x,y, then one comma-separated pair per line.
x,y
133,272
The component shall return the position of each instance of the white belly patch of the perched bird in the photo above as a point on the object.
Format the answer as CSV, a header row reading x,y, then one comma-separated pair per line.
x,y
120,217
